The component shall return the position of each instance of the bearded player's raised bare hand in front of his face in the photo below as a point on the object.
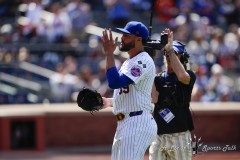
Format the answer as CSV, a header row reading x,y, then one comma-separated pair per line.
x,y
109,45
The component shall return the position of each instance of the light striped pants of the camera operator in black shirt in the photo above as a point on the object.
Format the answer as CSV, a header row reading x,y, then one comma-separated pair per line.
x,y
176,146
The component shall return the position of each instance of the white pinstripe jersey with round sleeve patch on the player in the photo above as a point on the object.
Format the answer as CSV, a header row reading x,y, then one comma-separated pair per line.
x,y
137,96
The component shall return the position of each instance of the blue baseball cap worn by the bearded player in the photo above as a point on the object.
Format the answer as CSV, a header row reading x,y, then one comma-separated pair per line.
x,y
135,28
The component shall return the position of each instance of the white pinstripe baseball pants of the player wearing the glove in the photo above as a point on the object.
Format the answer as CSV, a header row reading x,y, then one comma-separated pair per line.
x,y
133,137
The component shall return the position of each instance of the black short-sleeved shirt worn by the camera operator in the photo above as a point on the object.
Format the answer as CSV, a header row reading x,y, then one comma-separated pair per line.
x,y
175,96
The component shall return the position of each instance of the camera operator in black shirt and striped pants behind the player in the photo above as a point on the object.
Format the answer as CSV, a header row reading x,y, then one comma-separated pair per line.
x,y
171,95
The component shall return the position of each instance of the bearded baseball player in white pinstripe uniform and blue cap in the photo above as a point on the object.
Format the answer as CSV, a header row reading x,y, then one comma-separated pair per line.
x,y
132,84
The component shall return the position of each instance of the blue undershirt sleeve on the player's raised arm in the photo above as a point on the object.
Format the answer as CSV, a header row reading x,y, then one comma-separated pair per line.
x,y
116,80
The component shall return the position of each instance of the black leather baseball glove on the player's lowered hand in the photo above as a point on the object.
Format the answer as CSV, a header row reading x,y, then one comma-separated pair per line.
x,y
89,100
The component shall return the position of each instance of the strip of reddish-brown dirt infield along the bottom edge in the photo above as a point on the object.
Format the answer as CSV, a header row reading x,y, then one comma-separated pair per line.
x,y
101,156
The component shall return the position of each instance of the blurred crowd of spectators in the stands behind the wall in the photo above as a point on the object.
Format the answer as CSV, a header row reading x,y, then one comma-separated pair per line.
x,y
46,54
